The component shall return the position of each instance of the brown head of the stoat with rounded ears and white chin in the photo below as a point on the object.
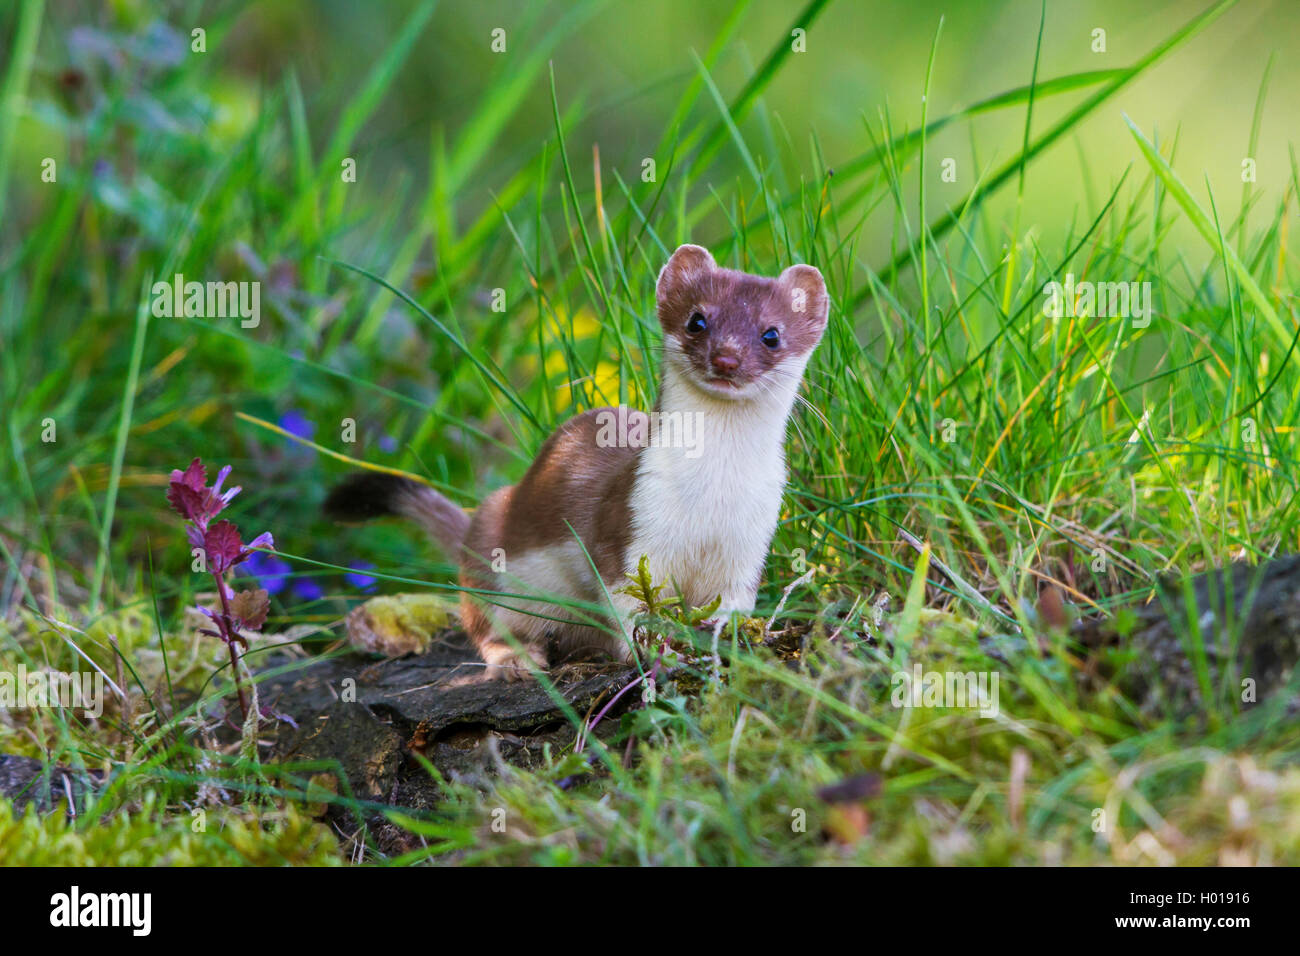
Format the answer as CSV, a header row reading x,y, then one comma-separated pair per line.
x,y
738,336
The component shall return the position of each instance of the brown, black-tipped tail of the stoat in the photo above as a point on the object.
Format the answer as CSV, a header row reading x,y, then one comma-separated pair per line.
x,y
376,495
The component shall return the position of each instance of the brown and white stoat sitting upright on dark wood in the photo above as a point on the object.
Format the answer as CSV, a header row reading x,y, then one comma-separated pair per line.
x,y
695,486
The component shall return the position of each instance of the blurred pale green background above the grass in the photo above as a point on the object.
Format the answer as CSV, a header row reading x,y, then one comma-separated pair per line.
x,y
626,66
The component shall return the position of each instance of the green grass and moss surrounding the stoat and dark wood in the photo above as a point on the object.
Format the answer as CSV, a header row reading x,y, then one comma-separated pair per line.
x,y
375,309
